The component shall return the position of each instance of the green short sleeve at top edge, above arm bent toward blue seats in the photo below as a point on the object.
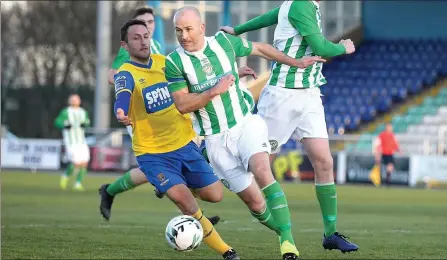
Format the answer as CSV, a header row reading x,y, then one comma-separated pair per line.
x,y
303,17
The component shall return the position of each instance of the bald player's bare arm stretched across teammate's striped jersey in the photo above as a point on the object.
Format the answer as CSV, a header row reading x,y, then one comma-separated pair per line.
x,y
270,53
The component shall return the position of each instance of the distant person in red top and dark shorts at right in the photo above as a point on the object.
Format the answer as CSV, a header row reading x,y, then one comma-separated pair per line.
x,y
387,146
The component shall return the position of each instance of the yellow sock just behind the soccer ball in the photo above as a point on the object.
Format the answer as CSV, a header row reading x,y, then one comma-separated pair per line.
x,y
210,235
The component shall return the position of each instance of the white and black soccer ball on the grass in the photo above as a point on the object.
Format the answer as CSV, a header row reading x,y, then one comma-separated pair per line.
x,y
184,233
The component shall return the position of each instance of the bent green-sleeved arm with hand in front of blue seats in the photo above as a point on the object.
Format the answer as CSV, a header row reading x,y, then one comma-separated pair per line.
x,y
303,17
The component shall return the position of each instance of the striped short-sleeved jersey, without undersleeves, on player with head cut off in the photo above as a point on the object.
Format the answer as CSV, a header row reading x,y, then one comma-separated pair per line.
x,y
288,39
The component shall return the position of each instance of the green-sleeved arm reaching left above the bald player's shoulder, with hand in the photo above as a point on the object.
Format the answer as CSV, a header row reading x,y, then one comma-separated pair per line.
x,y
259,22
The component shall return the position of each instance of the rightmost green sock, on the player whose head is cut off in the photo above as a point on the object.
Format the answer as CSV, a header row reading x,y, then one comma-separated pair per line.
x,y
327,197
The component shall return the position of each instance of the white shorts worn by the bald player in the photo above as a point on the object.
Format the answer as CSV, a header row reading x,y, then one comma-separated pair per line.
x,y
230,151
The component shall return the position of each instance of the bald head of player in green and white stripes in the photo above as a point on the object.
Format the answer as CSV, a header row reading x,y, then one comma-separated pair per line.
x,y
189,28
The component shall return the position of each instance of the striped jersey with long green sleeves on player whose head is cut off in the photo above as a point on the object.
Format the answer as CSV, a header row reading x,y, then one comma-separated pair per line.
x,y
298,33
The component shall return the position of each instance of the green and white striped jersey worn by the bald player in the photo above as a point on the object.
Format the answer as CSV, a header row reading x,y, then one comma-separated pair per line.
x,y
202,70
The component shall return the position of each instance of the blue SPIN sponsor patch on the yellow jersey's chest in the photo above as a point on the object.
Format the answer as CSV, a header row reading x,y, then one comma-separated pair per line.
x,y
157,97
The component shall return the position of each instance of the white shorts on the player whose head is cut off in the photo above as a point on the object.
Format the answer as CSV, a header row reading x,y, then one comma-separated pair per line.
x,y
292,111
